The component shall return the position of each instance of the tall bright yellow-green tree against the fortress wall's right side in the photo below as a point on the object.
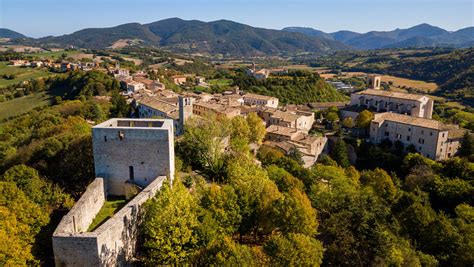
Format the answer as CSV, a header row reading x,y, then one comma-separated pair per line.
x,y
169,224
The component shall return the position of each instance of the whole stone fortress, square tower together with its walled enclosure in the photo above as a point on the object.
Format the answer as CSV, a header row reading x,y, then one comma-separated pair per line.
x,y
132,158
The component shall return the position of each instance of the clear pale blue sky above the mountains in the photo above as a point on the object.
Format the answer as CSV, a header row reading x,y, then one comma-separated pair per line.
x,y
39,18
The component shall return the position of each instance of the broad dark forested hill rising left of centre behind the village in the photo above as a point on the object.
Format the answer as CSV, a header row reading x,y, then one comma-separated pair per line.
x,y
216,37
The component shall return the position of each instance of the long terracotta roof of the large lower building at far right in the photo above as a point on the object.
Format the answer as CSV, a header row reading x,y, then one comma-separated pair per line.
x,y
411,120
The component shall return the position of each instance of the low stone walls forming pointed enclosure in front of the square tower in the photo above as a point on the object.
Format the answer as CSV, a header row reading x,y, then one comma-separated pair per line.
x,y
113,243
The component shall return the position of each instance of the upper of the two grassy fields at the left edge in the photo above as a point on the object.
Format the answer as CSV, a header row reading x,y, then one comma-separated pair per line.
x,y
20,73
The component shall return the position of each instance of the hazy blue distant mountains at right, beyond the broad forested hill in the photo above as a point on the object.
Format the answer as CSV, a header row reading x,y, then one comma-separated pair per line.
x,y
423,35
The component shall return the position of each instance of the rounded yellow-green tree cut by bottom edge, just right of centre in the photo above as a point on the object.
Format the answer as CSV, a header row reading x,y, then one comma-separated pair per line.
x,y
294,250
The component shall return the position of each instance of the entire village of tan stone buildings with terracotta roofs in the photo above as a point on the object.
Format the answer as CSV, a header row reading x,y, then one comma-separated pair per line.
x,y
402,117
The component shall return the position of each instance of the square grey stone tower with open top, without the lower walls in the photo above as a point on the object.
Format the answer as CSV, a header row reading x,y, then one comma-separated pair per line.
x,y
132,151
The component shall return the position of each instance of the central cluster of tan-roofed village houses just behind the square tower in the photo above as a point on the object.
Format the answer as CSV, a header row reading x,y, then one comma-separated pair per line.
x,y
179,107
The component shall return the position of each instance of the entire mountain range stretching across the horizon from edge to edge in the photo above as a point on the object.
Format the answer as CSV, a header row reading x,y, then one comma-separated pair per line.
x,y
235,39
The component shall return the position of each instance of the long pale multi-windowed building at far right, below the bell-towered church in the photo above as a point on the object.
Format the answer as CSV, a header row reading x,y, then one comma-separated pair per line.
x,y
431,138
